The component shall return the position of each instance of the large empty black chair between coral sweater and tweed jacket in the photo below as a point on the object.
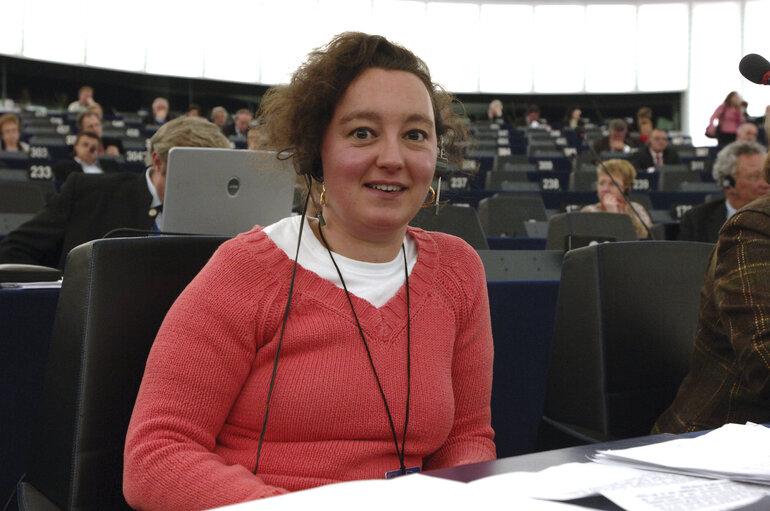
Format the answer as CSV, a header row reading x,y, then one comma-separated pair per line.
x,y
623,335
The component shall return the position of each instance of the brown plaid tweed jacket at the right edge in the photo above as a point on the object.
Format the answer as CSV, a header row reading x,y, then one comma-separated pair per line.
x,y
729,379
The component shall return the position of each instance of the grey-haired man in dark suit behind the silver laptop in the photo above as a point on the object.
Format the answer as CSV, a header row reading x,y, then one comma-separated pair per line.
x,y
91,205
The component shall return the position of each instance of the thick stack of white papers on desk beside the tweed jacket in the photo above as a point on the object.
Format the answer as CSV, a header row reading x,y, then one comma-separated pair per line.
x,y
734,451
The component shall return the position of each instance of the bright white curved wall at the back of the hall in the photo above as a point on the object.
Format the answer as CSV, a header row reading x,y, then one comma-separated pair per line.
x,y
490,47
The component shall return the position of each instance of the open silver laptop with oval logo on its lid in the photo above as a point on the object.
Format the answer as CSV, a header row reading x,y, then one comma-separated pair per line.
x,y
225,191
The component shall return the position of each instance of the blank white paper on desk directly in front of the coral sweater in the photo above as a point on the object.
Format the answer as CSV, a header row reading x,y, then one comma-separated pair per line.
x,y
415,491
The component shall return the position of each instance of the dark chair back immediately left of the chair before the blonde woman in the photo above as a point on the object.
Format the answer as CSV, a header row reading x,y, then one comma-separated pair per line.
x,y
506,215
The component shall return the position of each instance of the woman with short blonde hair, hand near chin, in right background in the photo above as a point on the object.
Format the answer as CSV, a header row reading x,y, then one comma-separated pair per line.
x,y
611,200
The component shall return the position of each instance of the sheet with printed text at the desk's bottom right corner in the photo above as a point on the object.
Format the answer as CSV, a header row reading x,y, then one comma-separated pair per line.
x,y
701,495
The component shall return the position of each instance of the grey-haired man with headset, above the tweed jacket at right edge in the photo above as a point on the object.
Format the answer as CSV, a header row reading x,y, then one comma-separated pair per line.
x,y
737,169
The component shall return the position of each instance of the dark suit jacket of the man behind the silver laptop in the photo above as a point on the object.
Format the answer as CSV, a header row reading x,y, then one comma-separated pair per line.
x,y
89,206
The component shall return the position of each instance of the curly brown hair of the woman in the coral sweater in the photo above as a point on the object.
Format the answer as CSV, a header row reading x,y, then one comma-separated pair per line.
x,y
296,115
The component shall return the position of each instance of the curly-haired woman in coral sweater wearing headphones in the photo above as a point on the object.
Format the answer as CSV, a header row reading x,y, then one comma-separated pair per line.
x,y
329,348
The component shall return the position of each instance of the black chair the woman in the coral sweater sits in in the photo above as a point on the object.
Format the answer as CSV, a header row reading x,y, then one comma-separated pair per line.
x,y
114,297
